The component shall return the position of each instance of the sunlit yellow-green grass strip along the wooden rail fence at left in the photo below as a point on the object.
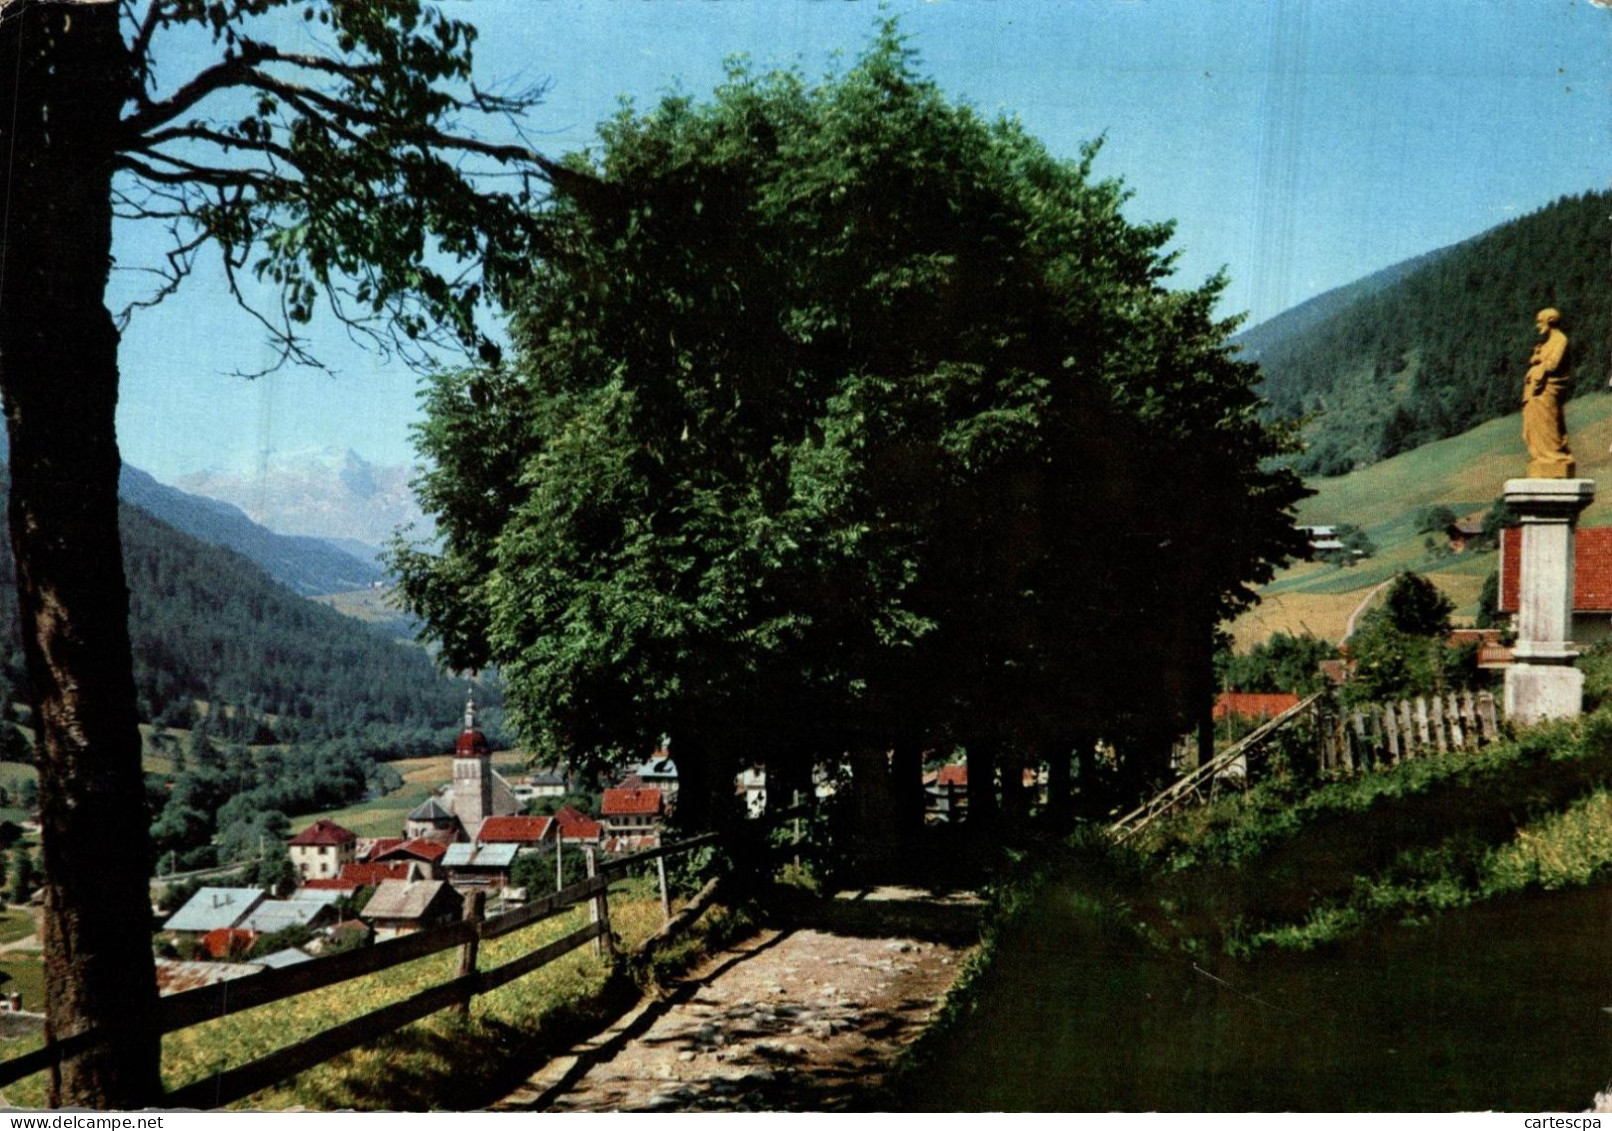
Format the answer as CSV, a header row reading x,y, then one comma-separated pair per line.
x,y
441,1063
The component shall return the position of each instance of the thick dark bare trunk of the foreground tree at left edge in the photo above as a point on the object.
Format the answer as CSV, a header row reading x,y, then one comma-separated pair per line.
x,y
59,376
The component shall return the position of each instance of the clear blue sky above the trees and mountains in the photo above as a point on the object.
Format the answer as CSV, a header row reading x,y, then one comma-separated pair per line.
x,y
1298,144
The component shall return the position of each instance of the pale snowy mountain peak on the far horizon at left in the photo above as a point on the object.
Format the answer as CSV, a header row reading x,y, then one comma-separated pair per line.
x,y
322,494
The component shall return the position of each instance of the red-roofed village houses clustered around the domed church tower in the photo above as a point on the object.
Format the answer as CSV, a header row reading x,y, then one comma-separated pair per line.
x,y
473,835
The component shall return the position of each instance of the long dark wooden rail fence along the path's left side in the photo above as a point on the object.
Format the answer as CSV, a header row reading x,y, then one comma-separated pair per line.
x,y
210,1003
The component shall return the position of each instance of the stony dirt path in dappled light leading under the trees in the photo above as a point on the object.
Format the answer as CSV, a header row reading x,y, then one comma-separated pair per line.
x,y
789,1021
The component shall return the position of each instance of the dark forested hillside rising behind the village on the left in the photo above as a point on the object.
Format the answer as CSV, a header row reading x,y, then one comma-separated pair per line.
x,y
209,626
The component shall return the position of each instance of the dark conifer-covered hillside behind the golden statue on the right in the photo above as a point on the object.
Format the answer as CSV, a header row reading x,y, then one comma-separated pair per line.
x,y
1447,347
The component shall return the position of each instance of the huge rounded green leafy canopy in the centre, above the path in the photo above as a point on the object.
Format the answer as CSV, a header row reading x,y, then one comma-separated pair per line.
x,y
845,418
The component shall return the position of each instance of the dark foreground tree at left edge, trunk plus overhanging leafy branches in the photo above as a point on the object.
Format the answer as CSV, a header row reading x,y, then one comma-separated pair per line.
x,y
318,149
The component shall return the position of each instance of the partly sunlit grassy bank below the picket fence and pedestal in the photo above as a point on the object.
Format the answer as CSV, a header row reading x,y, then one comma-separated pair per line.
x,y
1294,868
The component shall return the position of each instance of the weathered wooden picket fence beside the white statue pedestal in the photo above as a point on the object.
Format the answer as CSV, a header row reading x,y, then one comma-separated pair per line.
x,y
1386,734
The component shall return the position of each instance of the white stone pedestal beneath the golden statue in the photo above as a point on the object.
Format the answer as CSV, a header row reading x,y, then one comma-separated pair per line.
x,y
1542,682
